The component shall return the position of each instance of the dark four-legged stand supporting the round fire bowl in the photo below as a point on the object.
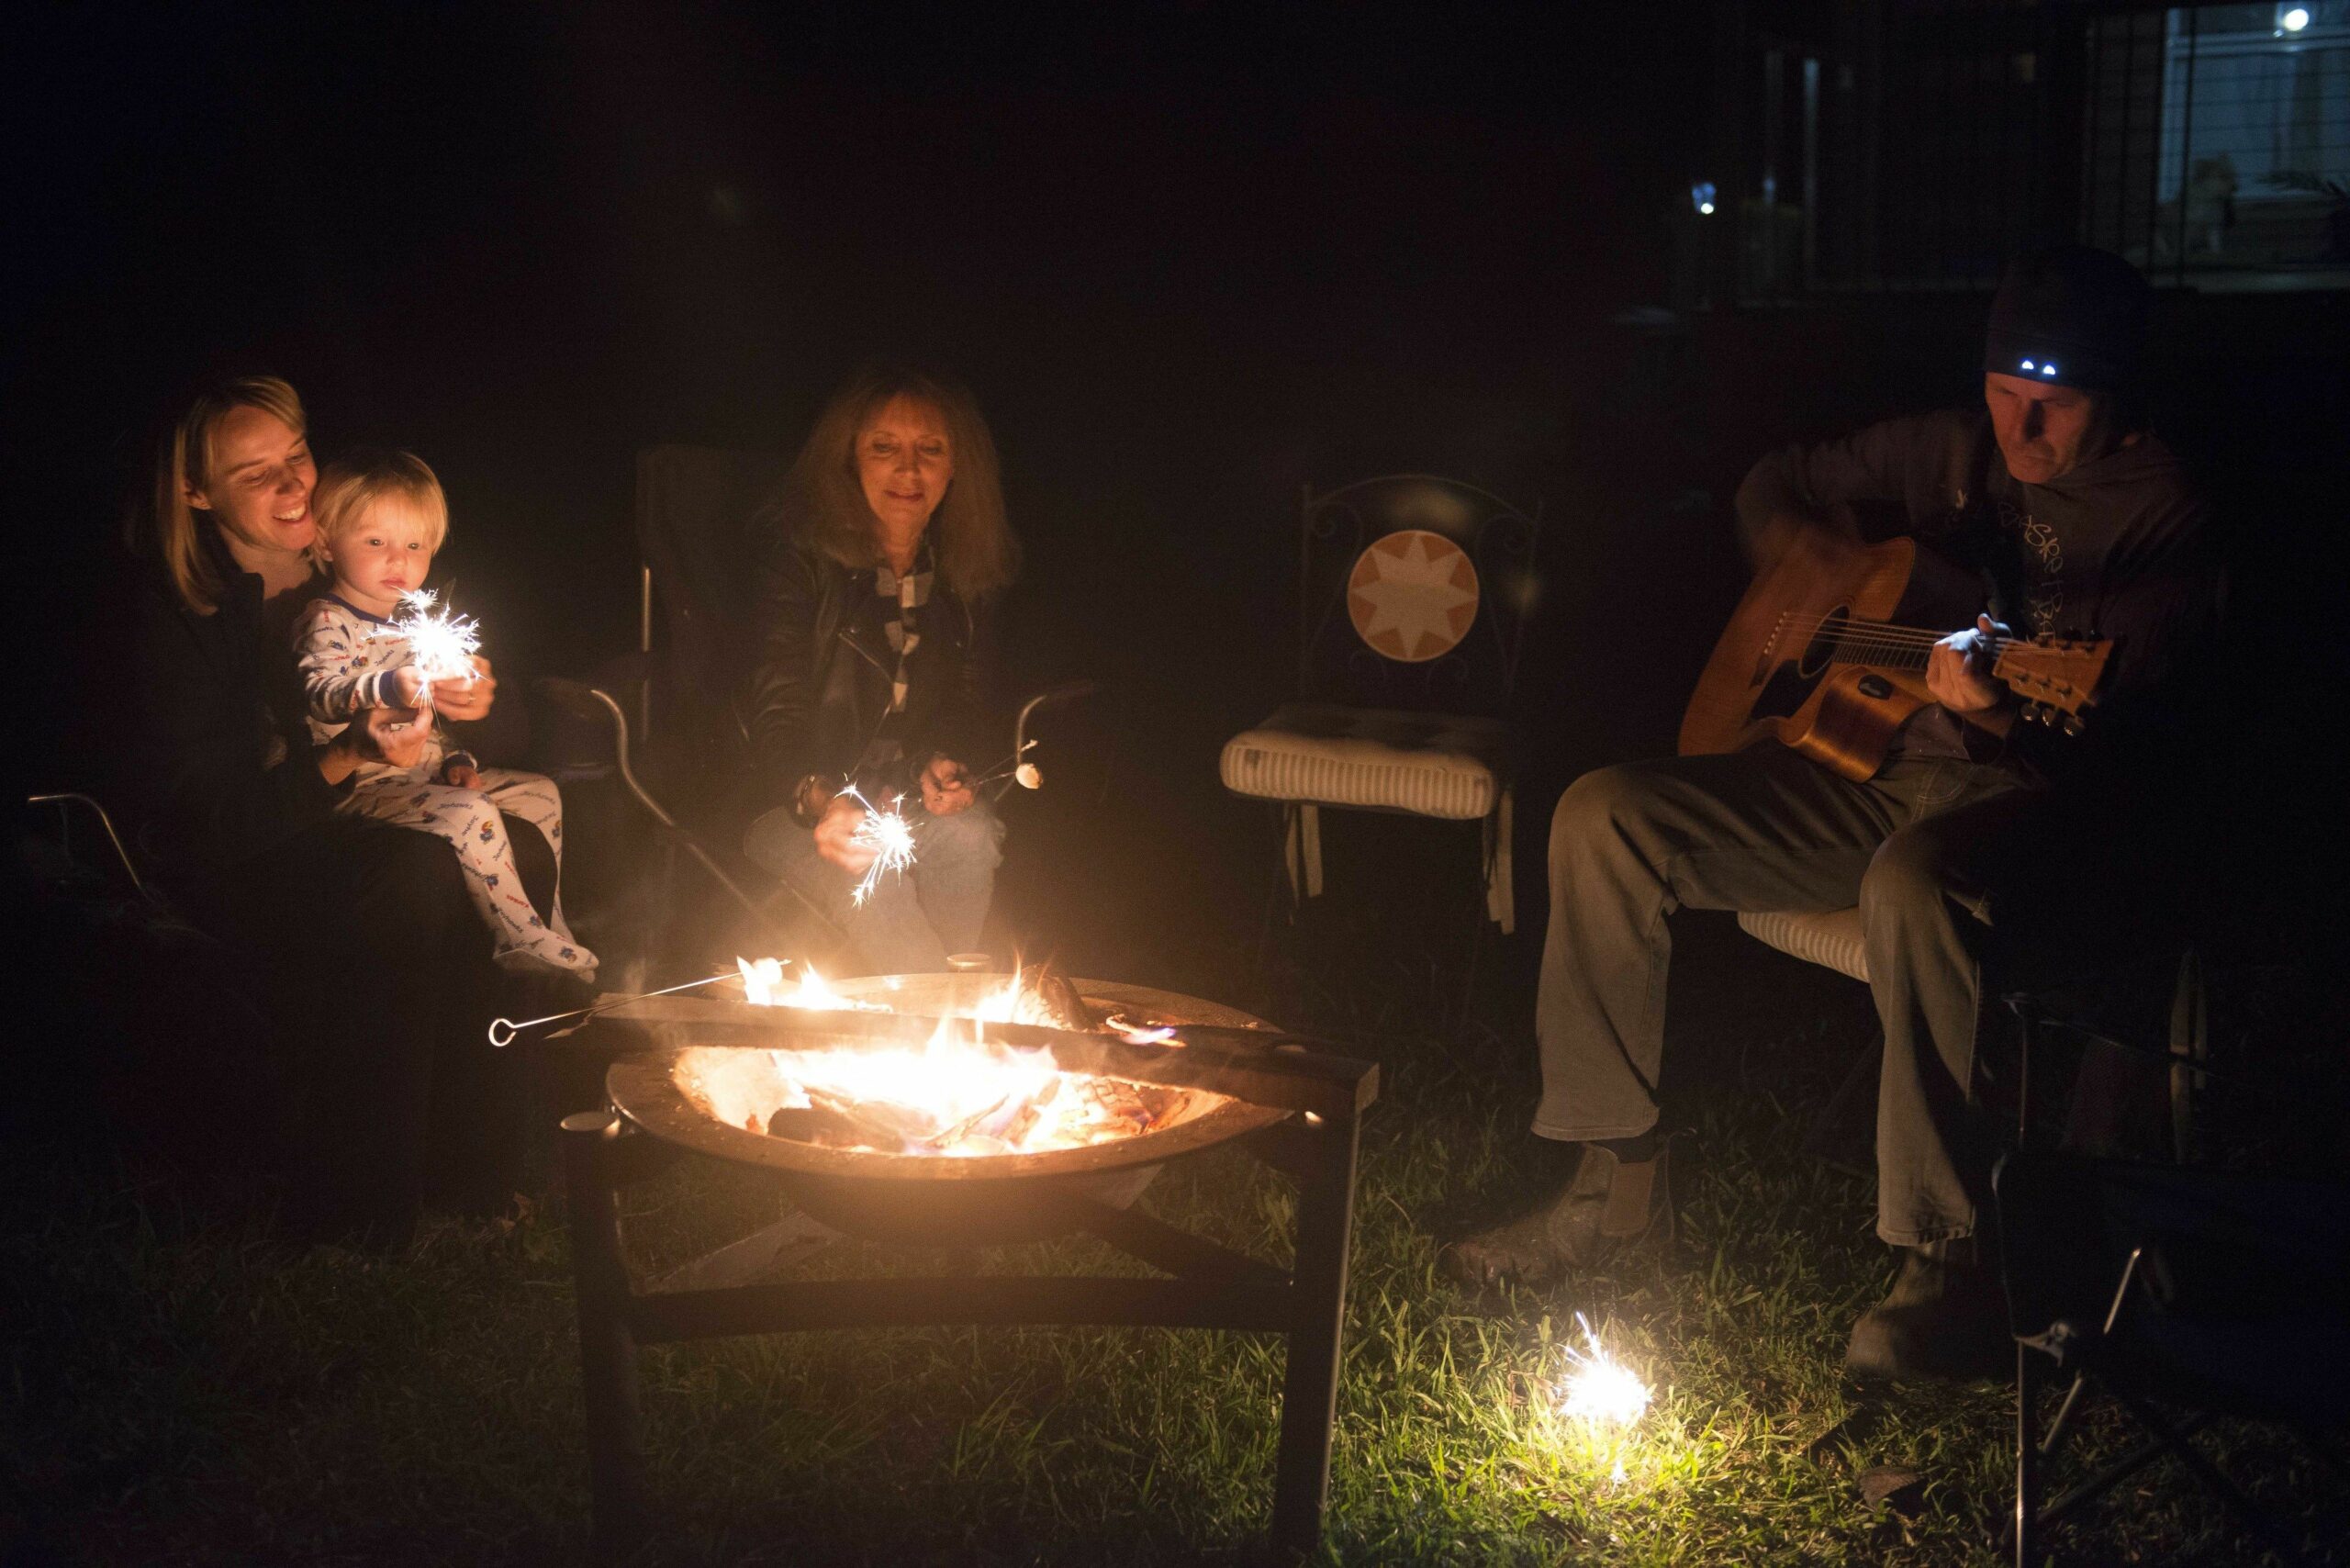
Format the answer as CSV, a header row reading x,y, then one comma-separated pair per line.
x,y
1209,1287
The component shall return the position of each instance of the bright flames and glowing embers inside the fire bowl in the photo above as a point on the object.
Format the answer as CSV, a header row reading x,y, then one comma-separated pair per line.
x,y
958,1094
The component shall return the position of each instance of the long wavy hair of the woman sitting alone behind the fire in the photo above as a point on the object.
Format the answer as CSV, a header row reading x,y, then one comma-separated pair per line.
x,y
824,502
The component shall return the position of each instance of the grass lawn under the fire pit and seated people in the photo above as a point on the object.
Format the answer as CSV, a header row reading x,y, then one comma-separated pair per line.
x,y
201,1393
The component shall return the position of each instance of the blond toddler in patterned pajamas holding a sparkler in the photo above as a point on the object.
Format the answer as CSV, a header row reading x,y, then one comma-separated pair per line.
x,y
380,521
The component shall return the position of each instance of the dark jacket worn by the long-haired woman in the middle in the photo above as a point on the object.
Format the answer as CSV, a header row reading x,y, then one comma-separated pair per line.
x,y
821,678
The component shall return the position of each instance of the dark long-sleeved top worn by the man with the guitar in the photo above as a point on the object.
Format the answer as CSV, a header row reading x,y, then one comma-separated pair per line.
x,y
2116,549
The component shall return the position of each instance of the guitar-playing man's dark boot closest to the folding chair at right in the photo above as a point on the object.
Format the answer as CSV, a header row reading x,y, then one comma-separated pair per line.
x,y
1945,1320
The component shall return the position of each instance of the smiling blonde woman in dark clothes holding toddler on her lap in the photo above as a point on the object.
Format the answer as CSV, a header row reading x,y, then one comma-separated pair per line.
x,y
372,965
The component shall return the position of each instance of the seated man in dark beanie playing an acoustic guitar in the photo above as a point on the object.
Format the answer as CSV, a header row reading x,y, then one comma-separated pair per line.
x,y
2062,518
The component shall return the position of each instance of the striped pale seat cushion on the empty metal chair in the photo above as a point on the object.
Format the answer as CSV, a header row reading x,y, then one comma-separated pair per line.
x,y
1423,763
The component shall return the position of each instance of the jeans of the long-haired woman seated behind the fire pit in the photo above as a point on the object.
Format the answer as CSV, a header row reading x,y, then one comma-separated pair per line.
x,y
913,920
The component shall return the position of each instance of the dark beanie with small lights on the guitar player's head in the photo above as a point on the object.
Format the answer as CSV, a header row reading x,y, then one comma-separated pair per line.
x,y
2069,316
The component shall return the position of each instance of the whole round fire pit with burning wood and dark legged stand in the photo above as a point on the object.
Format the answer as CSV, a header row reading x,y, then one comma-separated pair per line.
x,y
739,1083
